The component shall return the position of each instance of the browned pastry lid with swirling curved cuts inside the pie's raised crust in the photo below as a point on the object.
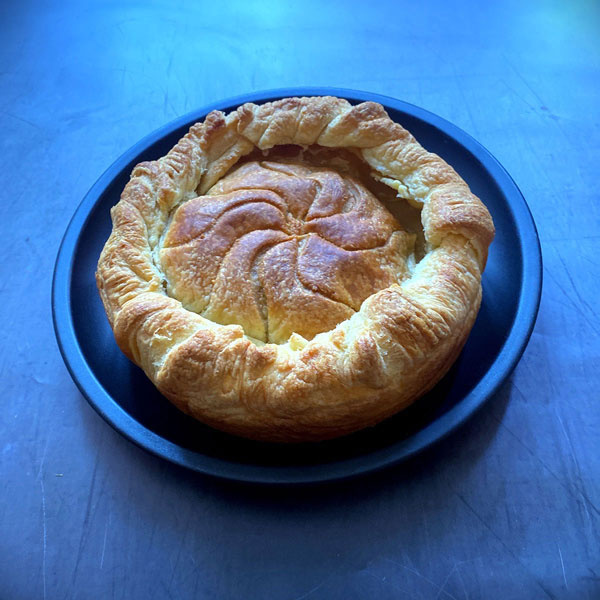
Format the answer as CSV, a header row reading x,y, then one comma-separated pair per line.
x,y
280,248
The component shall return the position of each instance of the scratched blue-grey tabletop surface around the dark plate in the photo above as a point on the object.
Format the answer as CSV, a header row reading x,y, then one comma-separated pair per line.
x,y
507,507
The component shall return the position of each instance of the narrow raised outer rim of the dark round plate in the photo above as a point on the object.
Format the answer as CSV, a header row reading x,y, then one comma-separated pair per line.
x,y
508,356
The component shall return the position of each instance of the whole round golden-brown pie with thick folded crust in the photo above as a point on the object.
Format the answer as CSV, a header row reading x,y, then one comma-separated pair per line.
x,y
295,271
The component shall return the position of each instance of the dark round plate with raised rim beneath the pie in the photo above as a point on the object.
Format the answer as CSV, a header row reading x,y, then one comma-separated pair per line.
x,y
122,394
